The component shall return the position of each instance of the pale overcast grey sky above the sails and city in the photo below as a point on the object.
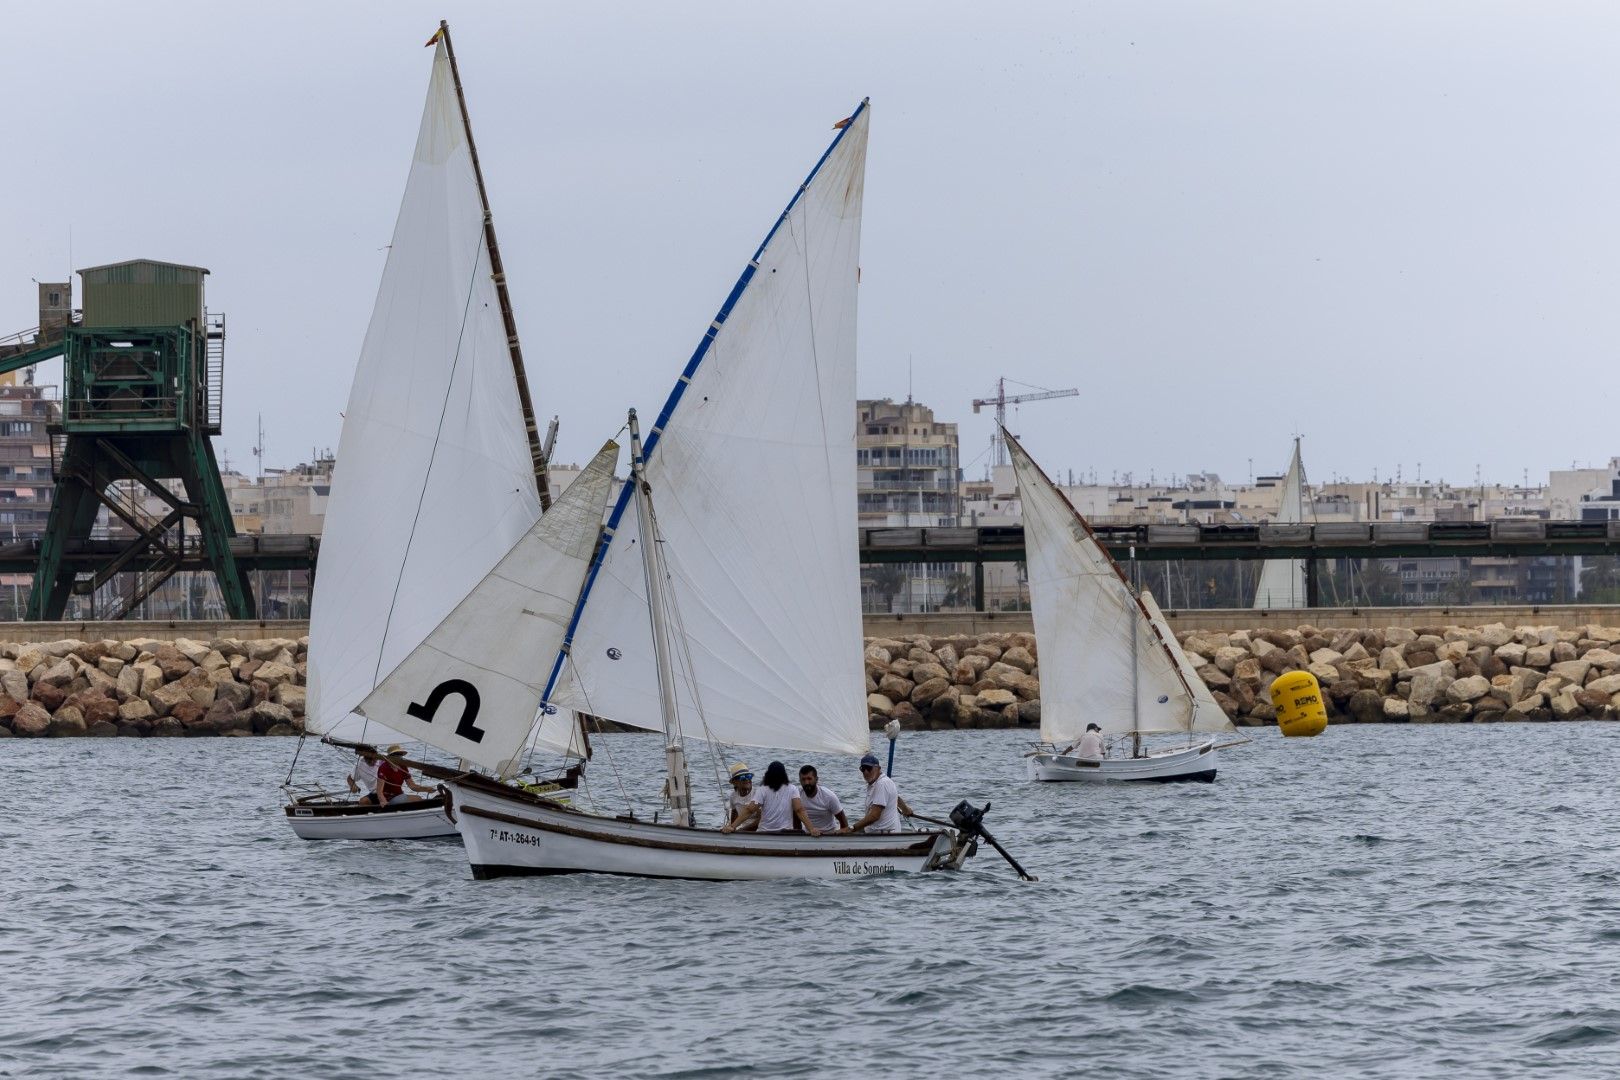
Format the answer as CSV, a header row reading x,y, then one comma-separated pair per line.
x,y
1388,227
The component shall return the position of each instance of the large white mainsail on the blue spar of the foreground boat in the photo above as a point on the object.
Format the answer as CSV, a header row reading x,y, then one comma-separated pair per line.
x,y
752,474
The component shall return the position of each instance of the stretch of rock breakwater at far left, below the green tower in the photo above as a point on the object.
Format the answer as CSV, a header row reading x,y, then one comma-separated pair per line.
x,y
153,689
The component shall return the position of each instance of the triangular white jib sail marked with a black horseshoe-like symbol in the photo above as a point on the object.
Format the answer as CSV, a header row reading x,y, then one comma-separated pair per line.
x,y
474,686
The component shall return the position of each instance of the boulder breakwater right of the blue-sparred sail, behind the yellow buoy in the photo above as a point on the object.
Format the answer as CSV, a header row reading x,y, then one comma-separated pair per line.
x,y
1370,676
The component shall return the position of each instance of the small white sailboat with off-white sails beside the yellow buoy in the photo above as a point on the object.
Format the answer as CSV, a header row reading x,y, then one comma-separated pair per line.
x,y
1107,655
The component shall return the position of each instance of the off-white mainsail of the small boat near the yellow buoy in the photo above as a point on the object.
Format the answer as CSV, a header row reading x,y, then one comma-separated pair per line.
x,y
1101,658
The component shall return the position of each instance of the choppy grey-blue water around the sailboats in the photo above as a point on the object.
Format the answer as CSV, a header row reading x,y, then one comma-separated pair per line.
x,y
1381,903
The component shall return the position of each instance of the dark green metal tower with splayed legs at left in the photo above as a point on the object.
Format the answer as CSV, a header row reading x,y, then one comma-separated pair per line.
x,y
143,380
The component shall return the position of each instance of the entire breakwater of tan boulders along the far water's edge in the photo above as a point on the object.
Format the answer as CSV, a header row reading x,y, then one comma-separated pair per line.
x,y
147,687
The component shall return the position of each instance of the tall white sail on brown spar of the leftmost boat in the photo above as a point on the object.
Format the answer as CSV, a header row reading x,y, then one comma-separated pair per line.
x,y
433,480
